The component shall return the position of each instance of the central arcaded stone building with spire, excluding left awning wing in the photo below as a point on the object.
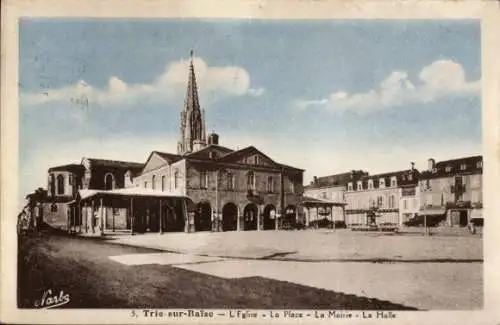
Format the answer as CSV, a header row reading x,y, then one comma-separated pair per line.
x,y
232,189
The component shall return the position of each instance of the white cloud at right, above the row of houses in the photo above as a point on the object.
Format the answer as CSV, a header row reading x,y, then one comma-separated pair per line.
x,y
438,79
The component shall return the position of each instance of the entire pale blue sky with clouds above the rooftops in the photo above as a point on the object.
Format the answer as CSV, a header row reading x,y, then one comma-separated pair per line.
x,y
321,94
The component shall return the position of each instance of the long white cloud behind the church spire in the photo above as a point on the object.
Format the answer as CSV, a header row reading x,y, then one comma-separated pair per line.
x,y
214,83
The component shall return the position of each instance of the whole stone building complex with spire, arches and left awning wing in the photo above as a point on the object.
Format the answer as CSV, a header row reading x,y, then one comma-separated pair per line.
x,y
204,186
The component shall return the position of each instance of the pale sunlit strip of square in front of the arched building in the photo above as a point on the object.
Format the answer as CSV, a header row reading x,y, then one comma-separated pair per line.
x,y
319,245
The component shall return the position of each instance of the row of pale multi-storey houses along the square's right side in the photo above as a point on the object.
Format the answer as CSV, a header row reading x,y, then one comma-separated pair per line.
x,y
447,193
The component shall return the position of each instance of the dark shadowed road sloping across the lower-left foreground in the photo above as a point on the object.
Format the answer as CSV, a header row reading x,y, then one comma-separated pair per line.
x,y
90,271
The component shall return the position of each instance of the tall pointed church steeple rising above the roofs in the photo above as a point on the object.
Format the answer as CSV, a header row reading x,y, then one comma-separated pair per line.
x,y
193,136
